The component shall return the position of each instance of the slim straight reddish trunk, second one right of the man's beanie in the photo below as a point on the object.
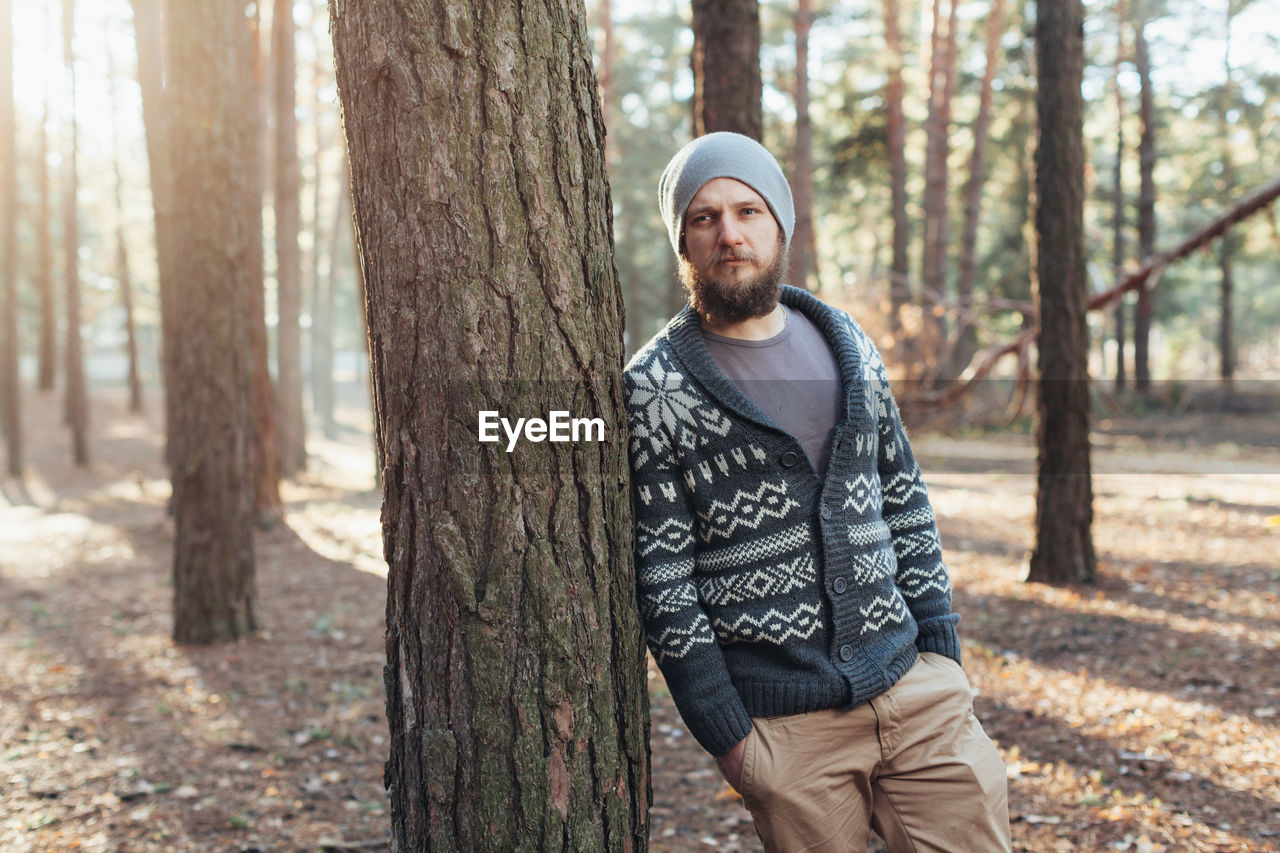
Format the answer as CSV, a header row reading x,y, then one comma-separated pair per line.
x,y
900,273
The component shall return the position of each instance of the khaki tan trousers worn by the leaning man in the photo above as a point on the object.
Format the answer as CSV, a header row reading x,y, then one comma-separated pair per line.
x,y
915,764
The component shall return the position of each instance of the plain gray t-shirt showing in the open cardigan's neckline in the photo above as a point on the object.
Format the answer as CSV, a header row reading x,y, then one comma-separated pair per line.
x,y
792,377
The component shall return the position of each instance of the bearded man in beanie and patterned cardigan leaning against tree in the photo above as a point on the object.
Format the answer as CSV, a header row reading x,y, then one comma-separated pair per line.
x,y
789,567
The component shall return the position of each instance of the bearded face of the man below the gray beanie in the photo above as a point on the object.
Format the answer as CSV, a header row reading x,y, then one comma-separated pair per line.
x,y
734,261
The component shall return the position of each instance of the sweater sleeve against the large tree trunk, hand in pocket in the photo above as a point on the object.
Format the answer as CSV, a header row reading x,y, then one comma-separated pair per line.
x,y
676,627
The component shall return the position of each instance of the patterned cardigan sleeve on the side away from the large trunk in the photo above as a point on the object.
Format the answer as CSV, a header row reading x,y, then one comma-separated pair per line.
x,y
922,577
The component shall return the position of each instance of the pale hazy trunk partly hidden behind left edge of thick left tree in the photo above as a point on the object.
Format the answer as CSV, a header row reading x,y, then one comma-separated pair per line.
x,y
156,116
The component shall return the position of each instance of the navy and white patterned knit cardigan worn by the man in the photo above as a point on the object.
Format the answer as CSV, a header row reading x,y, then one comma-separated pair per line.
x,y
765,591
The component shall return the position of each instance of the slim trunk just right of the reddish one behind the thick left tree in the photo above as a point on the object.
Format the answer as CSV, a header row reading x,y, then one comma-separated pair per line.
x,y
289,336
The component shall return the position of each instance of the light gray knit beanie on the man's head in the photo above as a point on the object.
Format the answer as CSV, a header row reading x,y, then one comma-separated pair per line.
x,y
724,156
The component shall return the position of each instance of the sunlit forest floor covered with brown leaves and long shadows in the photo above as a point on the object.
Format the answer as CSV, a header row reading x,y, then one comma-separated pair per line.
x,y
1137,714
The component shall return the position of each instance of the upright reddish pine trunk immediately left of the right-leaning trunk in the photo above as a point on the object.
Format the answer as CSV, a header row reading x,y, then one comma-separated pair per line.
x,y
938,127
